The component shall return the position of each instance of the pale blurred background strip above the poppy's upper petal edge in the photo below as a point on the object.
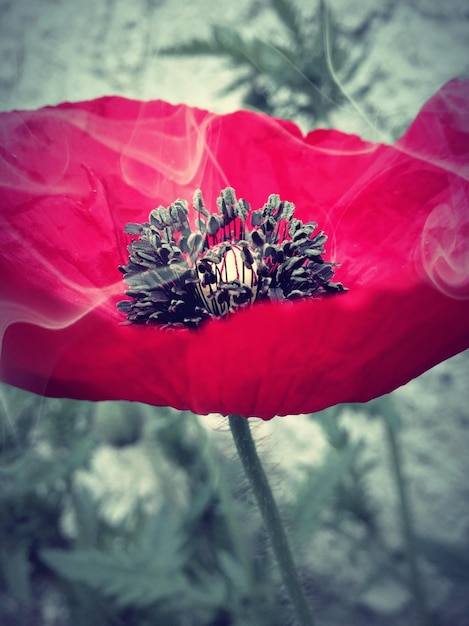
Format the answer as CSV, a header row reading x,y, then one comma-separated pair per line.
x,y
389,56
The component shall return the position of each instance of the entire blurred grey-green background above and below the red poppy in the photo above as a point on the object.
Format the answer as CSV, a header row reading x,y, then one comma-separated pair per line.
x,y
117,513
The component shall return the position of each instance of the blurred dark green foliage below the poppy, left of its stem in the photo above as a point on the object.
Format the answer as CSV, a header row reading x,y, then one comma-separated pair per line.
x,y
183,560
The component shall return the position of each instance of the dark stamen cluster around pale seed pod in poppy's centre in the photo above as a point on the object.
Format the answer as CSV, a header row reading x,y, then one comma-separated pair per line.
x,y
180,276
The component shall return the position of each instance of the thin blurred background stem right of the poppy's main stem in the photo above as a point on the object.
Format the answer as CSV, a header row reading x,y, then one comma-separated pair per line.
x,y
407,527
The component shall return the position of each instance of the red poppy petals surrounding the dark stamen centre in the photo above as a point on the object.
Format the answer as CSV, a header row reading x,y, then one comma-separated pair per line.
x,y
396,217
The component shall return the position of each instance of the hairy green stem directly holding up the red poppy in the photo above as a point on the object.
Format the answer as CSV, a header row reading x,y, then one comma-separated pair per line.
x,y
256,475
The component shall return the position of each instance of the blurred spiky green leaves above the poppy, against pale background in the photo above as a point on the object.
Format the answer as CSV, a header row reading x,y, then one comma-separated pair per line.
x,y
286,73
